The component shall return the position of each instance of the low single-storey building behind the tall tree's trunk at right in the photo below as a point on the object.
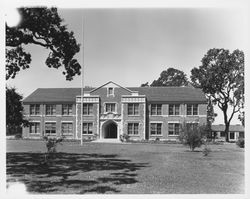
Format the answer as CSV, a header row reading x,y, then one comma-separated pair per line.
x,y
235,131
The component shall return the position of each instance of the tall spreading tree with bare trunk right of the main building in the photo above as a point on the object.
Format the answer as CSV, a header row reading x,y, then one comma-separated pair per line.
x,y
221,77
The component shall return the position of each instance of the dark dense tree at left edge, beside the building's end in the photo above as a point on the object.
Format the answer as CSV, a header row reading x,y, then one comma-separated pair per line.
x,y
14,112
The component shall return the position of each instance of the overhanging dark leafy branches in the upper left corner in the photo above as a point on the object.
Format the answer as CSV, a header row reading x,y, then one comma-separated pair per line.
x,y
42,27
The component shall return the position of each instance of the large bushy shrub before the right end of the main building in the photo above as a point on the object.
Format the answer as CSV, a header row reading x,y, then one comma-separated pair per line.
x,y
192,136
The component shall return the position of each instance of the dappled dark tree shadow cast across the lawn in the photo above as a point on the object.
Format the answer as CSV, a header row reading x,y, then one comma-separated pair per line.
x,y
63,173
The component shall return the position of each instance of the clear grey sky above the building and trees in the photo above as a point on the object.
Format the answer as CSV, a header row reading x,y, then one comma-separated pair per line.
x,y
133,46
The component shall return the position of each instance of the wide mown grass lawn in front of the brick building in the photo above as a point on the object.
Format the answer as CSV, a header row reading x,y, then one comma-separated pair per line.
x,y
126,168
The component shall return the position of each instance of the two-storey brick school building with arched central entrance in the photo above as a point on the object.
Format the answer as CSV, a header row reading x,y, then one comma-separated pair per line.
x,y
109,111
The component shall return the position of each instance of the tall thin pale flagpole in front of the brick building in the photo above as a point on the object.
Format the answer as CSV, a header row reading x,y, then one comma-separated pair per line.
x,y
82,70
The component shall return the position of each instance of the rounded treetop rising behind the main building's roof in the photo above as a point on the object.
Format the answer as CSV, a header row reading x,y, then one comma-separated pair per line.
x,y
171,77
